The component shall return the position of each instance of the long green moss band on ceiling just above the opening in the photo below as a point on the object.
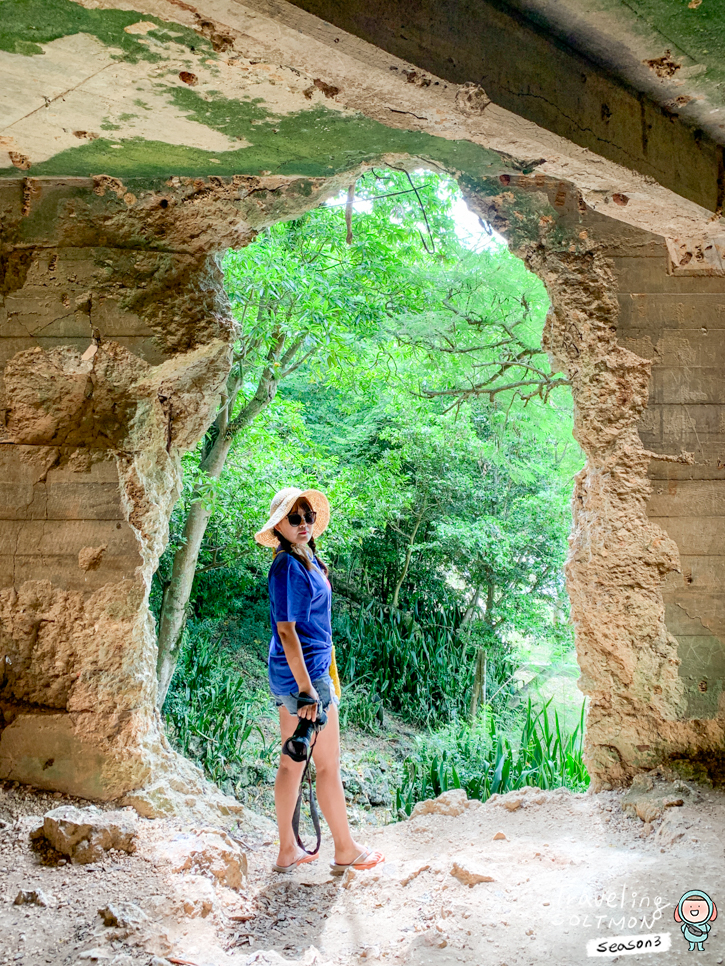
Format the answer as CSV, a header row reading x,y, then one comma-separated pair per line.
x,y
314,143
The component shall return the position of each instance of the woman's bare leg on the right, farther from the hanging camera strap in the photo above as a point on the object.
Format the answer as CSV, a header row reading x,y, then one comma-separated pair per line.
x,y
330,792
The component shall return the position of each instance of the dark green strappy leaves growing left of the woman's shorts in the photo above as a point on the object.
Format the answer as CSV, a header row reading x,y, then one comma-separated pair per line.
x,y
210,712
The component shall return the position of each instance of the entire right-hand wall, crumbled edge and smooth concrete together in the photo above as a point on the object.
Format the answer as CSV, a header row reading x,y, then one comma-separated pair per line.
x,y
614,330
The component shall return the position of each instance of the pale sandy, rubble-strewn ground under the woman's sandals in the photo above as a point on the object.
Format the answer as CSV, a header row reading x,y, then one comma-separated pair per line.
x,y
571,868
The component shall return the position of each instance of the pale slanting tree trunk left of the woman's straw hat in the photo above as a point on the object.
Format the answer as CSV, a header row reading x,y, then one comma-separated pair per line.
x,y
174,606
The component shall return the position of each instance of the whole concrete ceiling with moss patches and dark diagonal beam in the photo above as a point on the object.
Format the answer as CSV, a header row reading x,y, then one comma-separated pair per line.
x,y
154,89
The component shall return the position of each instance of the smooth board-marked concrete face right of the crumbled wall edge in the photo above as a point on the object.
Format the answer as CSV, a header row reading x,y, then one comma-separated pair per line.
x,y
676,321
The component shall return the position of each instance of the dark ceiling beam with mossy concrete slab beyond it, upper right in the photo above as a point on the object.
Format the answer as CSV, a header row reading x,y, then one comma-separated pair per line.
x,y
637,81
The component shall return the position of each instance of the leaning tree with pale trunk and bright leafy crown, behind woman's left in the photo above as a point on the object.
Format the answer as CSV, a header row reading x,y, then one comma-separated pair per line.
x,y
302,294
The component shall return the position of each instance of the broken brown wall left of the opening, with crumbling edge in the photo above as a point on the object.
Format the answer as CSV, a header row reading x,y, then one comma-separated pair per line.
x,y
114,347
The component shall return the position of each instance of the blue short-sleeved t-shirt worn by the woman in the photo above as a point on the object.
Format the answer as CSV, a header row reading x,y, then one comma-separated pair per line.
x,y
304,596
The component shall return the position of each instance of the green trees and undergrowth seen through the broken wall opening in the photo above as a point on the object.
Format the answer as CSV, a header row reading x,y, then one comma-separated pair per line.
x,y
420,401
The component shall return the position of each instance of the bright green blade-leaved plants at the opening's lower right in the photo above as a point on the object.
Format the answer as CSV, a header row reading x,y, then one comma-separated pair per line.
x,y
484,760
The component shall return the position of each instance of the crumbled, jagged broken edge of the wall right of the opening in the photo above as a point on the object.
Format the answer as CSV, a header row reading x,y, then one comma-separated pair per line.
x,y
619,558
